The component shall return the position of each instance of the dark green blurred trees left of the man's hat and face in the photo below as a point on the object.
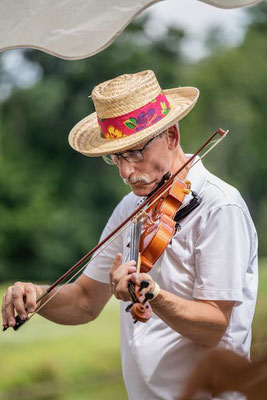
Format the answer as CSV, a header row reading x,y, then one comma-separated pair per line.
x,y
55,202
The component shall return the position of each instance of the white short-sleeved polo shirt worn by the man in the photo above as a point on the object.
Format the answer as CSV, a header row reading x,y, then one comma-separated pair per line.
x,y
212,257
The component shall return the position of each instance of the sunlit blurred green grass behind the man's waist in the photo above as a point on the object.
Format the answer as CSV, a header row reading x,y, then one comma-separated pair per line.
x,y
45,361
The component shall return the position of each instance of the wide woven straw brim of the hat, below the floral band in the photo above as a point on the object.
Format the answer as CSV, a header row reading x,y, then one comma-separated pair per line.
x,y
85,135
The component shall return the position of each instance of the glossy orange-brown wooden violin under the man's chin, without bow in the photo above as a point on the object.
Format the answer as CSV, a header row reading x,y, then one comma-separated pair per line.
x,y
149,239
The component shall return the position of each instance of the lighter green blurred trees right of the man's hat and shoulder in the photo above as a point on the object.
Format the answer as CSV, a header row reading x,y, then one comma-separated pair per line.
x,y
233,85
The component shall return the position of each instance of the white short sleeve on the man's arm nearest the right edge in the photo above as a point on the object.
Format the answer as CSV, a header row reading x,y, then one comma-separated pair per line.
x,y
222,254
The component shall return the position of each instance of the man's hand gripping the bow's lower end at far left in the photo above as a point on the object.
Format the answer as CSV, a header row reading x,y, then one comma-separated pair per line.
x,y
21,298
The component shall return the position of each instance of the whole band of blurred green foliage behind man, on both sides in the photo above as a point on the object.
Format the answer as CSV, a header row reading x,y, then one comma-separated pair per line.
x,y
54,202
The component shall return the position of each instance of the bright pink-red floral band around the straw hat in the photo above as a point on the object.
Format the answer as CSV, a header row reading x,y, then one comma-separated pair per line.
x,y
135,121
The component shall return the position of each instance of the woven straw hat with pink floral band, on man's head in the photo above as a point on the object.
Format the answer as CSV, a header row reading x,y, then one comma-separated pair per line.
x,y
130,109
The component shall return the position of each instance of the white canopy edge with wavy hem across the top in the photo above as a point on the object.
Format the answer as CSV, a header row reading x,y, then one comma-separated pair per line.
x,y
74,29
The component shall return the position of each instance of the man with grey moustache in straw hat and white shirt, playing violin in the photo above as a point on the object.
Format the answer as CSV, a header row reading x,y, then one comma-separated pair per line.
x,y
203,285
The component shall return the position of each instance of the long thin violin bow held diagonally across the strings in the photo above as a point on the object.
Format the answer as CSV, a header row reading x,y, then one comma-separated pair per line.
x,y
76,268
